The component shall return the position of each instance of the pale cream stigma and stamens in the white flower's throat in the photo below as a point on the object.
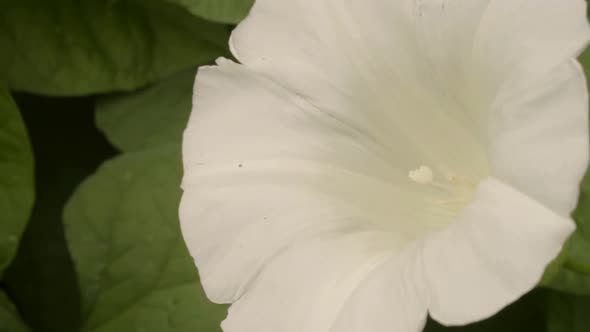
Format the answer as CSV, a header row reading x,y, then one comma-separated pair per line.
x,y
457,190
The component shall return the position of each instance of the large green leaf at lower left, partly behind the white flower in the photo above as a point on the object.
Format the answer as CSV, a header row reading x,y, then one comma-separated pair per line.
x,y
134,270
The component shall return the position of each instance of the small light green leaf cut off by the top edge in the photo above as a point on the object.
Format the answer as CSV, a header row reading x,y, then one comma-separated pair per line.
x,y
226,11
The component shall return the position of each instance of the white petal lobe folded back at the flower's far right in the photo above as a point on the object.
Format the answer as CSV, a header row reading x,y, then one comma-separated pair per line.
x,y
539,140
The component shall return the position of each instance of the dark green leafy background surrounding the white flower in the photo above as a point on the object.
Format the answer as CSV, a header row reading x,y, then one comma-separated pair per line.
x,y
94,96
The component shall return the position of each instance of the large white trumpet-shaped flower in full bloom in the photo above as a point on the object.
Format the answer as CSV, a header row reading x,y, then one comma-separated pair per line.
x,y
372,161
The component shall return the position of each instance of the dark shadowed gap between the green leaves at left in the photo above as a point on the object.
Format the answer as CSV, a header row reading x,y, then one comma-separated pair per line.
x,y
41,279
